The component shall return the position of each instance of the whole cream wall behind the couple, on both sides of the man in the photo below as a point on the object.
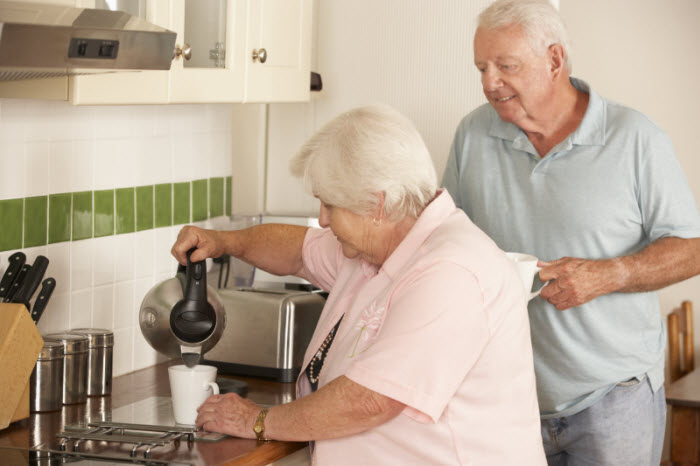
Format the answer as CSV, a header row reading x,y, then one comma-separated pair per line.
x,y
417,56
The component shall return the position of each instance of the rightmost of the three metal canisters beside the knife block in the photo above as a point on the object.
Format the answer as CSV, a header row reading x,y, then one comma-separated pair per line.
x,y
100,348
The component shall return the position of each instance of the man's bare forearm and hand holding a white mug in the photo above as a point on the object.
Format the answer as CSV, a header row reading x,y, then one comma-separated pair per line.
x,y
662,263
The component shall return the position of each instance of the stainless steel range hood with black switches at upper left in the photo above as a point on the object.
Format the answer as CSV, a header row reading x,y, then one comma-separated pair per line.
x,y
42,41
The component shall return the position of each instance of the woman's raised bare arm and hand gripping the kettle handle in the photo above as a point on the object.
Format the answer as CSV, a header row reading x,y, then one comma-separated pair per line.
x,y
274,248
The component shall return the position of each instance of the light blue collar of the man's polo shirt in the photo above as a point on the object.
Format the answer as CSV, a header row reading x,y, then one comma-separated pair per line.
x,y
591,131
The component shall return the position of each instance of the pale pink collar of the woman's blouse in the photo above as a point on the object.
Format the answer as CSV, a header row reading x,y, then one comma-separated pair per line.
x,y
441,207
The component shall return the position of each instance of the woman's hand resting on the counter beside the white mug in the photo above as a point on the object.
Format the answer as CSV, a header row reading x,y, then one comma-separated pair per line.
x,y
228,414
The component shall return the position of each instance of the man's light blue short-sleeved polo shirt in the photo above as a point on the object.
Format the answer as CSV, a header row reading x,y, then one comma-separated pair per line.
x,y
609,189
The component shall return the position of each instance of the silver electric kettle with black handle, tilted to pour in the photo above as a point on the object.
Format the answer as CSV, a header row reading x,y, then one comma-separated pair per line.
x,y
182,316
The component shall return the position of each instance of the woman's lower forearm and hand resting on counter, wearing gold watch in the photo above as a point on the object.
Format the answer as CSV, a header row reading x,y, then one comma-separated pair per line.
x,y
338,409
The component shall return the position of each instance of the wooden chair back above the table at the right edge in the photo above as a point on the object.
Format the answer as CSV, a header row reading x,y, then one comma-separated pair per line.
x,y
680,341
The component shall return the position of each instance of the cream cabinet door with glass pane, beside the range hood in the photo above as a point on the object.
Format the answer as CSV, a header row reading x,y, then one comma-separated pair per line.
x,y
214,33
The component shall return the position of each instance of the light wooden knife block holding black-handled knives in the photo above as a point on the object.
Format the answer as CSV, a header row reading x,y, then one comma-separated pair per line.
x,y
20,345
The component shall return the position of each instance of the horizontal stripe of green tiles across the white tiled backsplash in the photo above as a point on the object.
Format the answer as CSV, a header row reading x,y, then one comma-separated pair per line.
x,y
41,220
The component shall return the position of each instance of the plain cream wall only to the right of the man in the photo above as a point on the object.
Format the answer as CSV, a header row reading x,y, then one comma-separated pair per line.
x,y
643,53
